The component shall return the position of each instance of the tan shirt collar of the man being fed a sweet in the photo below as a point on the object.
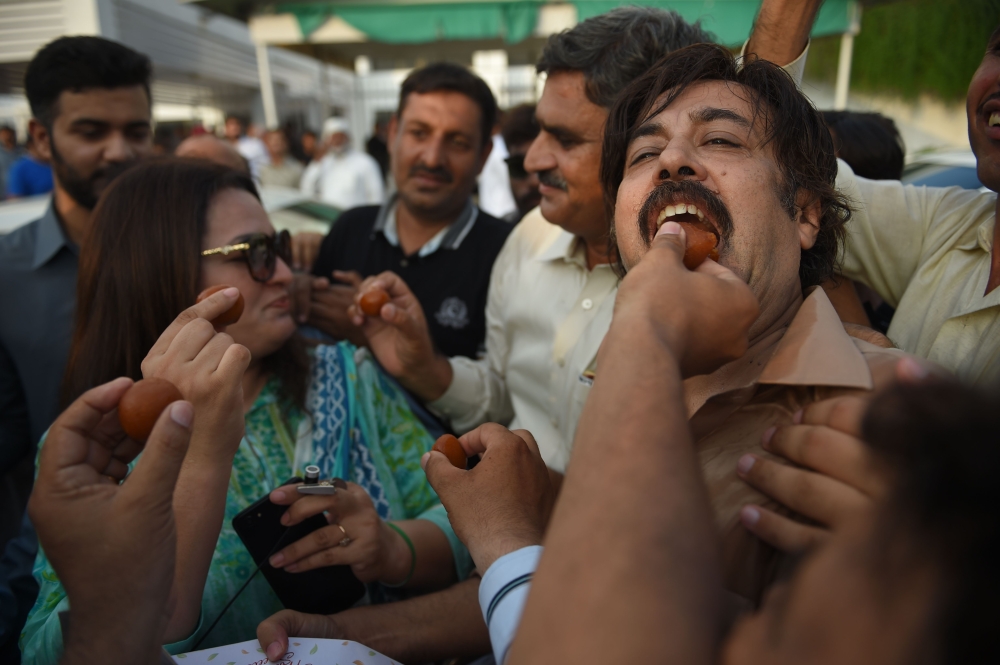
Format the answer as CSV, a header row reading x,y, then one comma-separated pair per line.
x,y
814,350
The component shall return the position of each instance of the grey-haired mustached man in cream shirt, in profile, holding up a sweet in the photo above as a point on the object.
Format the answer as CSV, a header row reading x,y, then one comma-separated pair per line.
x,y
552,288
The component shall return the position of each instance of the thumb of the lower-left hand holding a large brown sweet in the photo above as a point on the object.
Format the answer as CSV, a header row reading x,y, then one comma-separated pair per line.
x,y
156,472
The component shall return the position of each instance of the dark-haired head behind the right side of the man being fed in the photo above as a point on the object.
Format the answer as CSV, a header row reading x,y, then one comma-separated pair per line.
x,y
869,142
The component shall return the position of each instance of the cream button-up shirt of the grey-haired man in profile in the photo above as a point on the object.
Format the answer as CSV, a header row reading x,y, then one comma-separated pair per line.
x,y
545,319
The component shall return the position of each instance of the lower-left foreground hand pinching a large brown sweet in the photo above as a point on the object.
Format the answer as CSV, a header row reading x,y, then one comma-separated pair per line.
x,y
113,546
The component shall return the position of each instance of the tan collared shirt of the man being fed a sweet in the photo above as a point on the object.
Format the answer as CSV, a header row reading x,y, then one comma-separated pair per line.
x,y
811,359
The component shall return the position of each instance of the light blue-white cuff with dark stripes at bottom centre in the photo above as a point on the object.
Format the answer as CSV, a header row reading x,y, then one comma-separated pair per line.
x,y
502,595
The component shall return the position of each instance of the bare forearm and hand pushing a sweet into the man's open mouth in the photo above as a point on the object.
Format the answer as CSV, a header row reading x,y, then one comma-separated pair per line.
x,y
648,576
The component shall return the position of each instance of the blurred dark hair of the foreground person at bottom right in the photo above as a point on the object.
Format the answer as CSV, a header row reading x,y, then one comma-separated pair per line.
x,y
938,442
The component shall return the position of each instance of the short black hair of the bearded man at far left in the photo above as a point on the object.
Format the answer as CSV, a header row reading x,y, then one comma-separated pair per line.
x,y
77,64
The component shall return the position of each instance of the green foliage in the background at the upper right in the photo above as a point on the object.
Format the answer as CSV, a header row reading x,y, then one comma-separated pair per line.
x,y
913,47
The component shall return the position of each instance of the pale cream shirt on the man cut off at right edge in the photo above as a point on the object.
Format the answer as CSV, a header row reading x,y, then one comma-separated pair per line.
x,y
927,251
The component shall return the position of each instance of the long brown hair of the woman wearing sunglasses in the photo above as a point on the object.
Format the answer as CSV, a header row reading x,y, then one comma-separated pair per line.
x,y
140,266
